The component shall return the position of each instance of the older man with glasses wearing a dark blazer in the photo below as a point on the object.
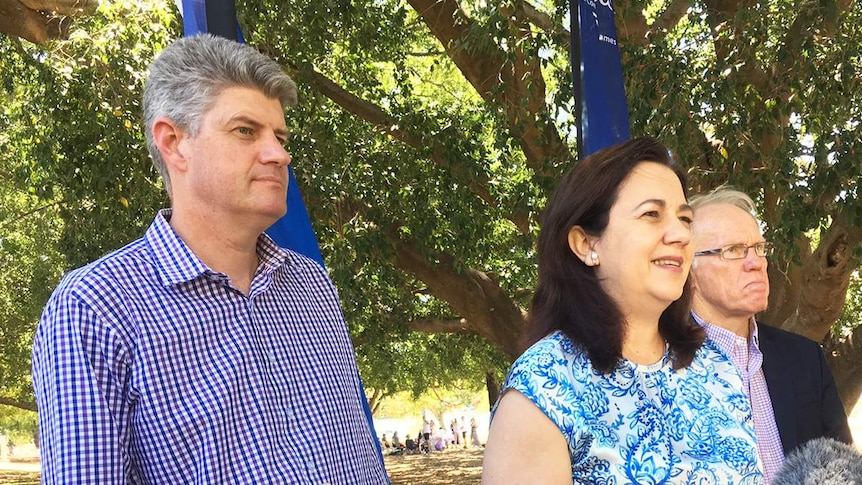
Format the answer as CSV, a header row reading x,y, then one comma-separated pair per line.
x,y
792,391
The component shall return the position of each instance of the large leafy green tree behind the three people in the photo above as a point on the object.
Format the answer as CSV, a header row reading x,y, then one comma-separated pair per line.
x,y
431,132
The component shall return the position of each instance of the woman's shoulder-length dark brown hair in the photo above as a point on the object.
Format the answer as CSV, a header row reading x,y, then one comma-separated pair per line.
x,y
568,295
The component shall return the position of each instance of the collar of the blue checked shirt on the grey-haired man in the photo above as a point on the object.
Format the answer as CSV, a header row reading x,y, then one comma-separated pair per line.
x,y
177,263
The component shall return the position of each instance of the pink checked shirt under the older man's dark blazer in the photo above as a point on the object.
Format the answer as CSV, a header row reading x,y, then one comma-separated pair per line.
x,y
745,354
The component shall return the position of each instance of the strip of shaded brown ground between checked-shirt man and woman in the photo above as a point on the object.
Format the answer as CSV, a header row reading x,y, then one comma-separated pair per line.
x,y
449,467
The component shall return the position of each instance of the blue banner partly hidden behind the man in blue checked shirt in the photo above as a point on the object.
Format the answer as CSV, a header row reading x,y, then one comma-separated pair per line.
x,y
293,231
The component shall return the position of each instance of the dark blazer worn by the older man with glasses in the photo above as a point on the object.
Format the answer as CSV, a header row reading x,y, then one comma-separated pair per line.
x,y
802,389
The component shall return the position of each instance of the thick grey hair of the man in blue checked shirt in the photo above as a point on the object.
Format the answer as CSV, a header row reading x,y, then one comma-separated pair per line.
x,y
187,76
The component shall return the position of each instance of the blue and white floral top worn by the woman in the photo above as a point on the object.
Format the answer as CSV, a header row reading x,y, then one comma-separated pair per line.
x,y
643,424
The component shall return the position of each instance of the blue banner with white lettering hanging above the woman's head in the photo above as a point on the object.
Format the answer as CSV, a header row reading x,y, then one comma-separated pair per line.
x,y
597,76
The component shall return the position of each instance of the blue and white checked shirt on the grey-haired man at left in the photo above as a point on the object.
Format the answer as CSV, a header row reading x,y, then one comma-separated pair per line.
x,y
149,367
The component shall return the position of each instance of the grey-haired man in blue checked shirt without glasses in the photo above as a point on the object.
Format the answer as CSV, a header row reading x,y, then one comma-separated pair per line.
x,y
203,352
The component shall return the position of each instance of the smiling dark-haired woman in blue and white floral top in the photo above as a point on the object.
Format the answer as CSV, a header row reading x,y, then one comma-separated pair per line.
x,y
618,385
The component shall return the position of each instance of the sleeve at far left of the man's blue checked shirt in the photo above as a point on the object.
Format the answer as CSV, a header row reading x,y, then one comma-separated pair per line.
x,y
80,378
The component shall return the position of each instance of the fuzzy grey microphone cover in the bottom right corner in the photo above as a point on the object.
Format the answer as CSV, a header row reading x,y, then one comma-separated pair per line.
x,y
821,461
